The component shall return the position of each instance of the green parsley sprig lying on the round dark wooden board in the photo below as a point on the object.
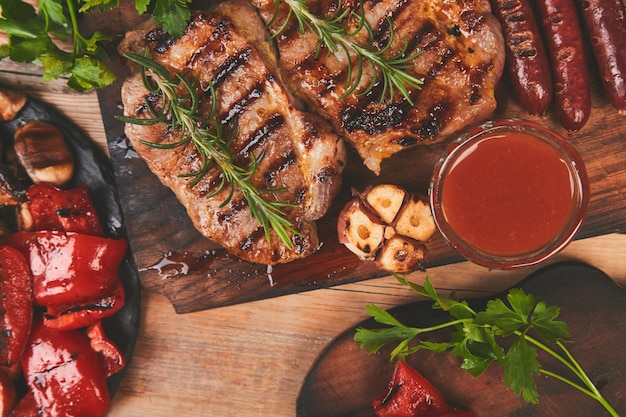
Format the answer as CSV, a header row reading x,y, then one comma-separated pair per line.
x,y
476,334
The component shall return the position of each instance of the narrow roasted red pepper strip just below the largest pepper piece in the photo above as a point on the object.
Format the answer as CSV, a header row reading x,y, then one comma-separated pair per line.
x,y
78,315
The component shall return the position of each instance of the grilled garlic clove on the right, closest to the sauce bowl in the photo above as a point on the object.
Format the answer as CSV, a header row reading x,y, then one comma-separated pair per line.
x,y
415,220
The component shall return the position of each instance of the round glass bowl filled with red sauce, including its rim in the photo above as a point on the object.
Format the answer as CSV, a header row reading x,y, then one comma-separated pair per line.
x,y
509,193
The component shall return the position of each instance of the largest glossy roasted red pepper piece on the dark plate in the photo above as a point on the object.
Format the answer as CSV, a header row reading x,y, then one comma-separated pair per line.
x,y
70,267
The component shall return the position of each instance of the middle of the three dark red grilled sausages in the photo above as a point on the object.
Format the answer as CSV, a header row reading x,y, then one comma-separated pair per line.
x,y
569,69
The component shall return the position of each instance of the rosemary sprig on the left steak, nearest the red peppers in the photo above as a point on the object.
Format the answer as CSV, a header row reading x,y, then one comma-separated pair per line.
x,y
180,111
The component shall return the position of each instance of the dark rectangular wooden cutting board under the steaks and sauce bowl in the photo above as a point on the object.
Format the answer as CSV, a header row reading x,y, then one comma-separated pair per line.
x,y
196,274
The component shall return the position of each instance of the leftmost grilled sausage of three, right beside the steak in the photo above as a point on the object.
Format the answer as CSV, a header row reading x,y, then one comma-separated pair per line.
x,y
527,62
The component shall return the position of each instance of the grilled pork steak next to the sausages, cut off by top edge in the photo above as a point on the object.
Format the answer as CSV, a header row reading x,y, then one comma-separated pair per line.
x,y
461,59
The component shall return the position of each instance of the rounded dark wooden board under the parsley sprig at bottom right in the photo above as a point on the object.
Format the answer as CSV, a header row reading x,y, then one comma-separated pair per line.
x,y
345,379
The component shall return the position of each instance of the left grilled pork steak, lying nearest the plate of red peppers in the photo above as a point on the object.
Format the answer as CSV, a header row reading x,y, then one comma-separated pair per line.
x,y
301,154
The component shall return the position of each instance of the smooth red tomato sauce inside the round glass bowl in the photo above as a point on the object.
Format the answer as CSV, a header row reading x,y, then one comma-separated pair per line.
x,y
510,194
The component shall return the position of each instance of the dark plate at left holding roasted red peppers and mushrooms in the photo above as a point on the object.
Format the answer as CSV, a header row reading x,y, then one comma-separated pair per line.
x,y
93,168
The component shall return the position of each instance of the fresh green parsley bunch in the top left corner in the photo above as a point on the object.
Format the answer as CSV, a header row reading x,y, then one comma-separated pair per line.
x,y
49,35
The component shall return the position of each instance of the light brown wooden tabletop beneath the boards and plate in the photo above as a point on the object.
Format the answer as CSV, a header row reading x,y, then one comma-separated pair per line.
x,y
250,359
